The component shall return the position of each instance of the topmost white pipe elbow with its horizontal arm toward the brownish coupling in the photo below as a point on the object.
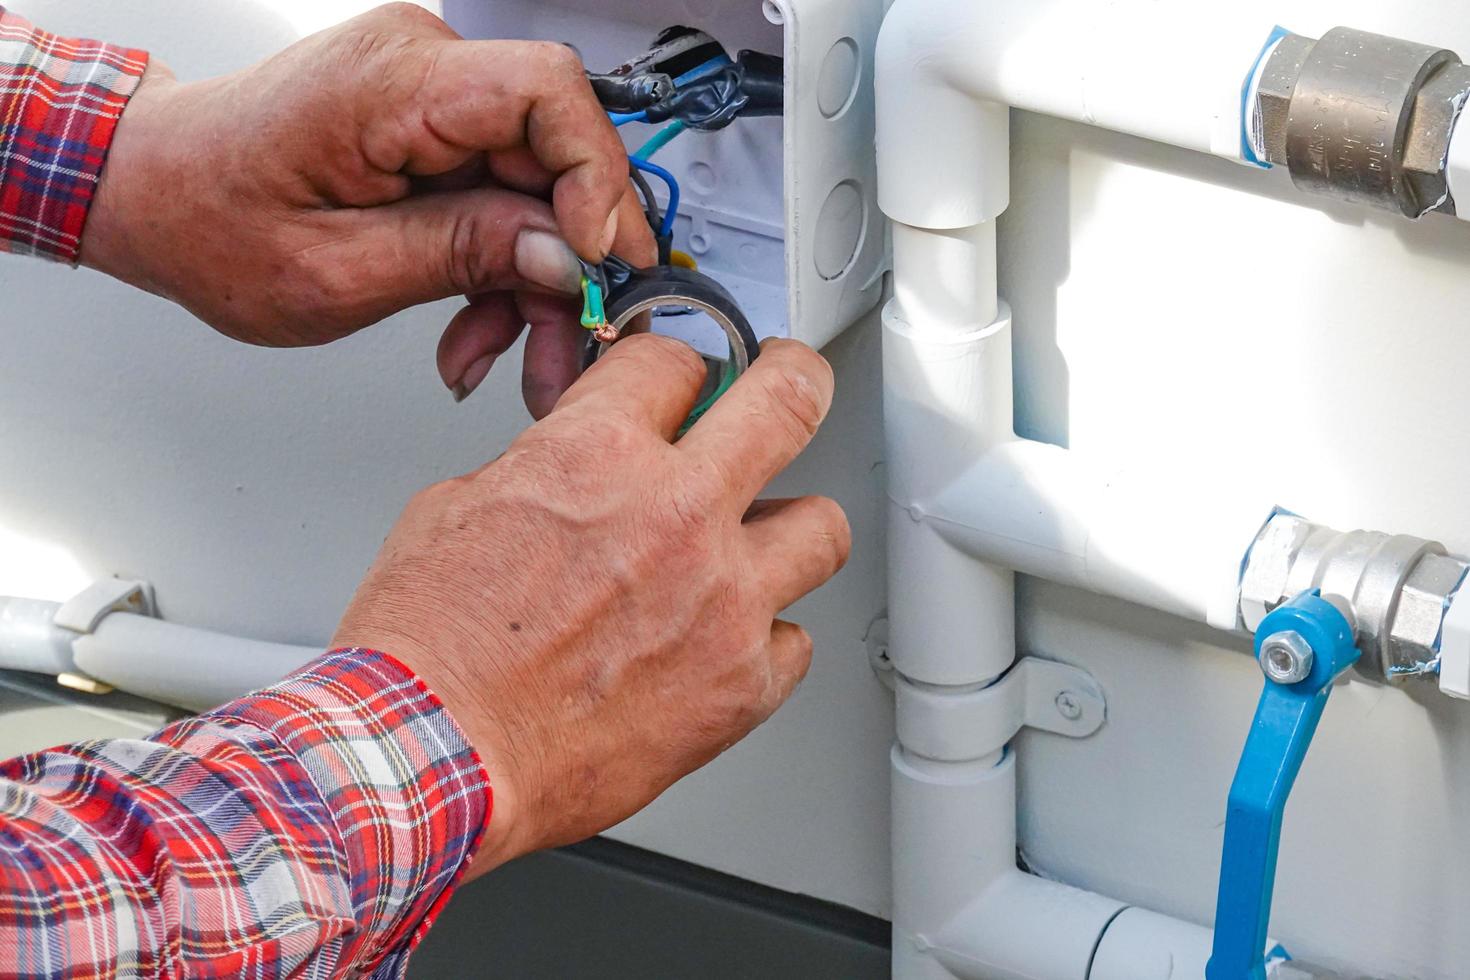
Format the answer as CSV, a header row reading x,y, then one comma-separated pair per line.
x,y
947,70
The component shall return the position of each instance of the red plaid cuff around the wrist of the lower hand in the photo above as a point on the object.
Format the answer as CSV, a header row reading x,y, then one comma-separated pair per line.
x,y
404,785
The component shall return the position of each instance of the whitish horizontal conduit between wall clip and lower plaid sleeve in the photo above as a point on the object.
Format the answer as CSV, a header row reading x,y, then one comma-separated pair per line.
x,y
183,666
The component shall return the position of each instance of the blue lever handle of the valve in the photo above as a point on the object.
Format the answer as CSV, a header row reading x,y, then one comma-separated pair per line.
x,y
1286,721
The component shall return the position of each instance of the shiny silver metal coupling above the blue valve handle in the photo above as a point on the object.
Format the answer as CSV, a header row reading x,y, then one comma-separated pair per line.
x,y
1399,588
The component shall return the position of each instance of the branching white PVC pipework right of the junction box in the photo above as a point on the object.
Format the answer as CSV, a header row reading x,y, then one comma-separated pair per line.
x,y
969,502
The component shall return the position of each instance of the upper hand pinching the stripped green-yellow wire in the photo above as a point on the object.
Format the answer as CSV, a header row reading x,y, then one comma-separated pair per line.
x,y
367,170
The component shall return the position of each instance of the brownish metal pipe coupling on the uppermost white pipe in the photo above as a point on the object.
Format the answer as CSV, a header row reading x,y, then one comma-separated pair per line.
x,y
1363,118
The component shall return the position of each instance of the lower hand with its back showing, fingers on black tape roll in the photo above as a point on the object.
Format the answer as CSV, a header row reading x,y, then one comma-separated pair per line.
x,y
598,608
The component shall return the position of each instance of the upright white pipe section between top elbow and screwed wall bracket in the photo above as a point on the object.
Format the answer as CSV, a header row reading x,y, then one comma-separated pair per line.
x,y
947,399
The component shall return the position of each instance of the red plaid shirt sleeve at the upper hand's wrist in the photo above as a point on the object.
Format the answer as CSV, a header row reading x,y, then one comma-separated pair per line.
x,y
60,107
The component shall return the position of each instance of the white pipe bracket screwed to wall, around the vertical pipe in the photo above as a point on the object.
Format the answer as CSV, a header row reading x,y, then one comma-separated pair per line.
x,y
944,725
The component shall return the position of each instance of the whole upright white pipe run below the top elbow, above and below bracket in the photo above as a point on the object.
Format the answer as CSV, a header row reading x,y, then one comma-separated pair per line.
x,y
947,400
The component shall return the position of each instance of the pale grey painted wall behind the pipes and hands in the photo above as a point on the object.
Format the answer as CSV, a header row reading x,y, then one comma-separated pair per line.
x,y
1165,303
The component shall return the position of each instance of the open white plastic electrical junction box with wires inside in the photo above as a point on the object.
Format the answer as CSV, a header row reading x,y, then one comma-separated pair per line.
x,y
783,212
